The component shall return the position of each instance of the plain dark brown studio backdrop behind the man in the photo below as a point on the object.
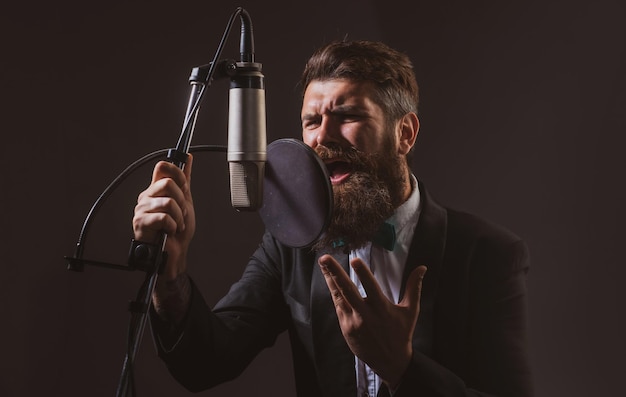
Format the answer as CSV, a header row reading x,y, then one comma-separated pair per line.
x,y
522,122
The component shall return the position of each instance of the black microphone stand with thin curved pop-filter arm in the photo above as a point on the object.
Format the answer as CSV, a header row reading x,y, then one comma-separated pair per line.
x,y
146,256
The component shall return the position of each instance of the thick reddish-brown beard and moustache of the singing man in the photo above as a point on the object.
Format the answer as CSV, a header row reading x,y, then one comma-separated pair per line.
x,y
362,202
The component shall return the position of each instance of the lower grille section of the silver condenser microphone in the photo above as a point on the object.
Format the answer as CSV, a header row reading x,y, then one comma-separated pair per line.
x,y
246,185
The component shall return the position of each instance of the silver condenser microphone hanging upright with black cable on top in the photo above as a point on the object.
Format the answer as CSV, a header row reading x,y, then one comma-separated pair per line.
x,y
247,138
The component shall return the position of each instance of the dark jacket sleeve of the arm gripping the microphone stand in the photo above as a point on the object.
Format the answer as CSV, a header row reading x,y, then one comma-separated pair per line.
x,y
215,345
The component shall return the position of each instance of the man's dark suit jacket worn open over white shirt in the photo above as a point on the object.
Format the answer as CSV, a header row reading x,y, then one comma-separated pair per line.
x,y
470,337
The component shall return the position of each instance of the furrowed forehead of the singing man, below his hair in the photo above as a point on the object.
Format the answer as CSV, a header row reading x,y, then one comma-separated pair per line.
x,y
328,94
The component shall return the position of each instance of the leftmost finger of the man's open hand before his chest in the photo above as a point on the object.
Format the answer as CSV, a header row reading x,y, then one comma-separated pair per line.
x,y
342,289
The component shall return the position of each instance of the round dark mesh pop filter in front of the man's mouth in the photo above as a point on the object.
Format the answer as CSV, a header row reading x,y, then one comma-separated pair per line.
x,y
297,194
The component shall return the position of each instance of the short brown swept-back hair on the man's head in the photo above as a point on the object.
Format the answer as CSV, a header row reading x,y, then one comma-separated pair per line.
x,y
390,72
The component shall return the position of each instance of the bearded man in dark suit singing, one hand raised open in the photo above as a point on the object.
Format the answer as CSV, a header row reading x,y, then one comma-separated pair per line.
x,y
364,315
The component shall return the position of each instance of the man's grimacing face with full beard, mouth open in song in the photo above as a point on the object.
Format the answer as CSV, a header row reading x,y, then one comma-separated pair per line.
x,y
363,155
